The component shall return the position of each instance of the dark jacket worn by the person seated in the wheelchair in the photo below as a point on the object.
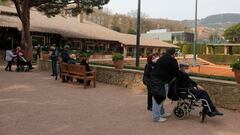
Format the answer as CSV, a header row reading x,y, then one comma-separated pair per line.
x,y
184,81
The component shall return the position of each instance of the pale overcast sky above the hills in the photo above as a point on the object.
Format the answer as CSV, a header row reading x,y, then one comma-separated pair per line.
x,y
176,9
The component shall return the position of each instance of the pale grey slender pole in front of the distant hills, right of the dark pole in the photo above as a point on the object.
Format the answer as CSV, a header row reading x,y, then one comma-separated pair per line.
x,y
195,36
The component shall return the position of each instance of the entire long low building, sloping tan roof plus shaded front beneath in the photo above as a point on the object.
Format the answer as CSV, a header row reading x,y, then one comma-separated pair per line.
x,y
84,36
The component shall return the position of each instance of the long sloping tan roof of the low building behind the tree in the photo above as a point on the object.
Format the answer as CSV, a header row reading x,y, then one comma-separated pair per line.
x,y
69,27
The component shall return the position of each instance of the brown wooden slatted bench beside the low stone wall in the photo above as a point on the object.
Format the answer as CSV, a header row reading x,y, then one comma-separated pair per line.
x,y
78,72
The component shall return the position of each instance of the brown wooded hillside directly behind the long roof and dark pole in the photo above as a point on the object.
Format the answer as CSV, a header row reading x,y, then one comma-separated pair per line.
x,y
127,23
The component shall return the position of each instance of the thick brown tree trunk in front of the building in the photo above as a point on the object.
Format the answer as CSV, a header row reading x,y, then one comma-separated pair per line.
x,y
26,41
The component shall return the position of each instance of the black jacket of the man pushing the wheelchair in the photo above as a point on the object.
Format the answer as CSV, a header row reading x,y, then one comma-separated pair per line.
x,y
165,69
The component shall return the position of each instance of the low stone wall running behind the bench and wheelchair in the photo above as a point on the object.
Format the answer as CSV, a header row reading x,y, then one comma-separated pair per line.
x,y
224,94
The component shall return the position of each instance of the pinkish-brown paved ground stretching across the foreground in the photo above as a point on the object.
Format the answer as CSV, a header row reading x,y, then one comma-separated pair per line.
x,y
35,104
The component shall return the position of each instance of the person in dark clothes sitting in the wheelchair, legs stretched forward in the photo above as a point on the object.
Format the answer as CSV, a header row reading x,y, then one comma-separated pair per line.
x,y
184,82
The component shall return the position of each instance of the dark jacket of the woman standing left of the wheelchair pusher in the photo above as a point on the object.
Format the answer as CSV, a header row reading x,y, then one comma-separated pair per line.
x,y
147,73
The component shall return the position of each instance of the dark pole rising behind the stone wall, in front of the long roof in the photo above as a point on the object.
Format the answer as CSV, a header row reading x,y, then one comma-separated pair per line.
x,y
138,34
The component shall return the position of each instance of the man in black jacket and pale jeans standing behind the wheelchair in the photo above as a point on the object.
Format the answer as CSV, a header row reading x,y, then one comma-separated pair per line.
x,y
165,70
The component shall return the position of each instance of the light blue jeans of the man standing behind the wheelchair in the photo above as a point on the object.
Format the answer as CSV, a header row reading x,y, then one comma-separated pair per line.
x,y
158,109
